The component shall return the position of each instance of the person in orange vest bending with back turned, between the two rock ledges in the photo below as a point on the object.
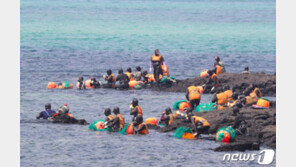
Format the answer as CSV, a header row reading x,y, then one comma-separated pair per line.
x,y
193,96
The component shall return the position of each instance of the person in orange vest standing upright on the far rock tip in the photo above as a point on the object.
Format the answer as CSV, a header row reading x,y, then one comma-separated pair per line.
x,y
157,61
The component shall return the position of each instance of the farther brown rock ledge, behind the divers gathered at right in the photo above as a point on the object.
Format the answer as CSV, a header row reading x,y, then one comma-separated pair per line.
x,y
265,82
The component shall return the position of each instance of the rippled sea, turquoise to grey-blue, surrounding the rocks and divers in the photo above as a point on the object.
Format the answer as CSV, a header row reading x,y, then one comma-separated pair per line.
x,y
64,39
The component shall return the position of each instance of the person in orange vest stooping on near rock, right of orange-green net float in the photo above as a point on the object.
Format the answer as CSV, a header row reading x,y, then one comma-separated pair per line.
x,y
201,125
